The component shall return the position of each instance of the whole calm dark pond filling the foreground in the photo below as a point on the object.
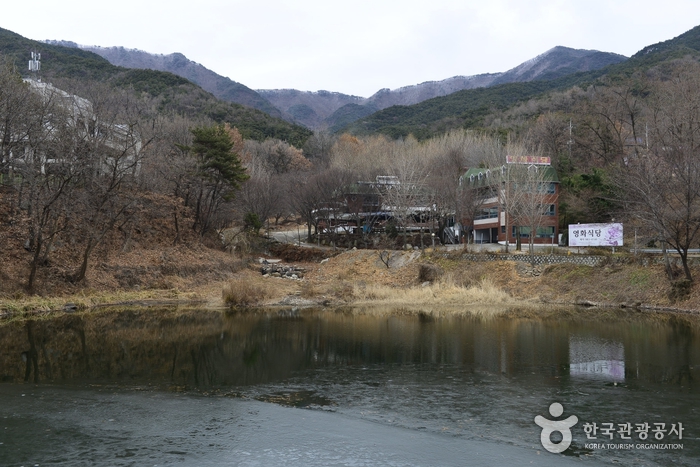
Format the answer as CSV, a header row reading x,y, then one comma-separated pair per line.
x,y
341,387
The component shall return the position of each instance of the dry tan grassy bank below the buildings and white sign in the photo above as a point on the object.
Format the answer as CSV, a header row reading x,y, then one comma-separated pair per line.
x,y
436,278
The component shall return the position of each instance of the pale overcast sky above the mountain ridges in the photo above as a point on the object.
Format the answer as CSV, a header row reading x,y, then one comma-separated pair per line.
x,y
354,47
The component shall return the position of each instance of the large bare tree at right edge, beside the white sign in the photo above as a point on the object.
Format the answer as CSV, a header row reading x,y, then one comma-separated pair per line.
x,y
662,185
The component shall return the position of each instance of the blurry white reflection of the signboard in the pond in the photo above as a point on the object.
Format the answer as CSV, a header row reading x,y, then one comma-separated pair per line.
x,y
591,357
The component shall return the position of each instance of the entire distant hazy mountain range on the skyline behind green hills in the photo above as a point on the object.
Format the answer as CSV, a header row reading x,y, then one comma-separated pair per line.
x,y
334,110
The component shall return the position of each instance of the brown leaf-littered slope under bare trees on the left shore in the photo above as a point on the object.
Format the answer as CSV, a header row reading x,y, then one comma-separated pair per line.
x,y
138,254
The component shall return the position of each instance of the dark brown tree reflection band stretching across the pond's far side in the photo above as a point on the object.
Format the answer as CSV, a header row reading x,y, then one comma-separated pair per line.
x,y
208,348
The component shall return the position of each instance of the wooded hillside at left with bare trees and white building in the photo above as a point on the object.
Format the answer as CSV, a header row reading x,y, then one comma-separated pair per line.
x,y
102,165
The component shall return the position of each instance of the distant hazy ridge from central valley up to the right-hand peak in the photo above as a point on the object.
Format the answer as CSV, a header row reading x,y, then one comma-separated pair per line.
x,y
317,109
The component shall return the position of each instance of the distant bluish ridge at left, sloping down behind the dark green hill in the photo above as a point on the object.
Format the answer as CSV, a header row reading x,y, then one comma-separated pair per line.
x,y
220,86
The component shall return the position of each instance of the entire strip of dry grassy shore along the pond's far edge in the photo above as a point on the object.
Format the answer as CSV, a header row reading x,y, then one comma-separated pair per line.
x,y
404,280
